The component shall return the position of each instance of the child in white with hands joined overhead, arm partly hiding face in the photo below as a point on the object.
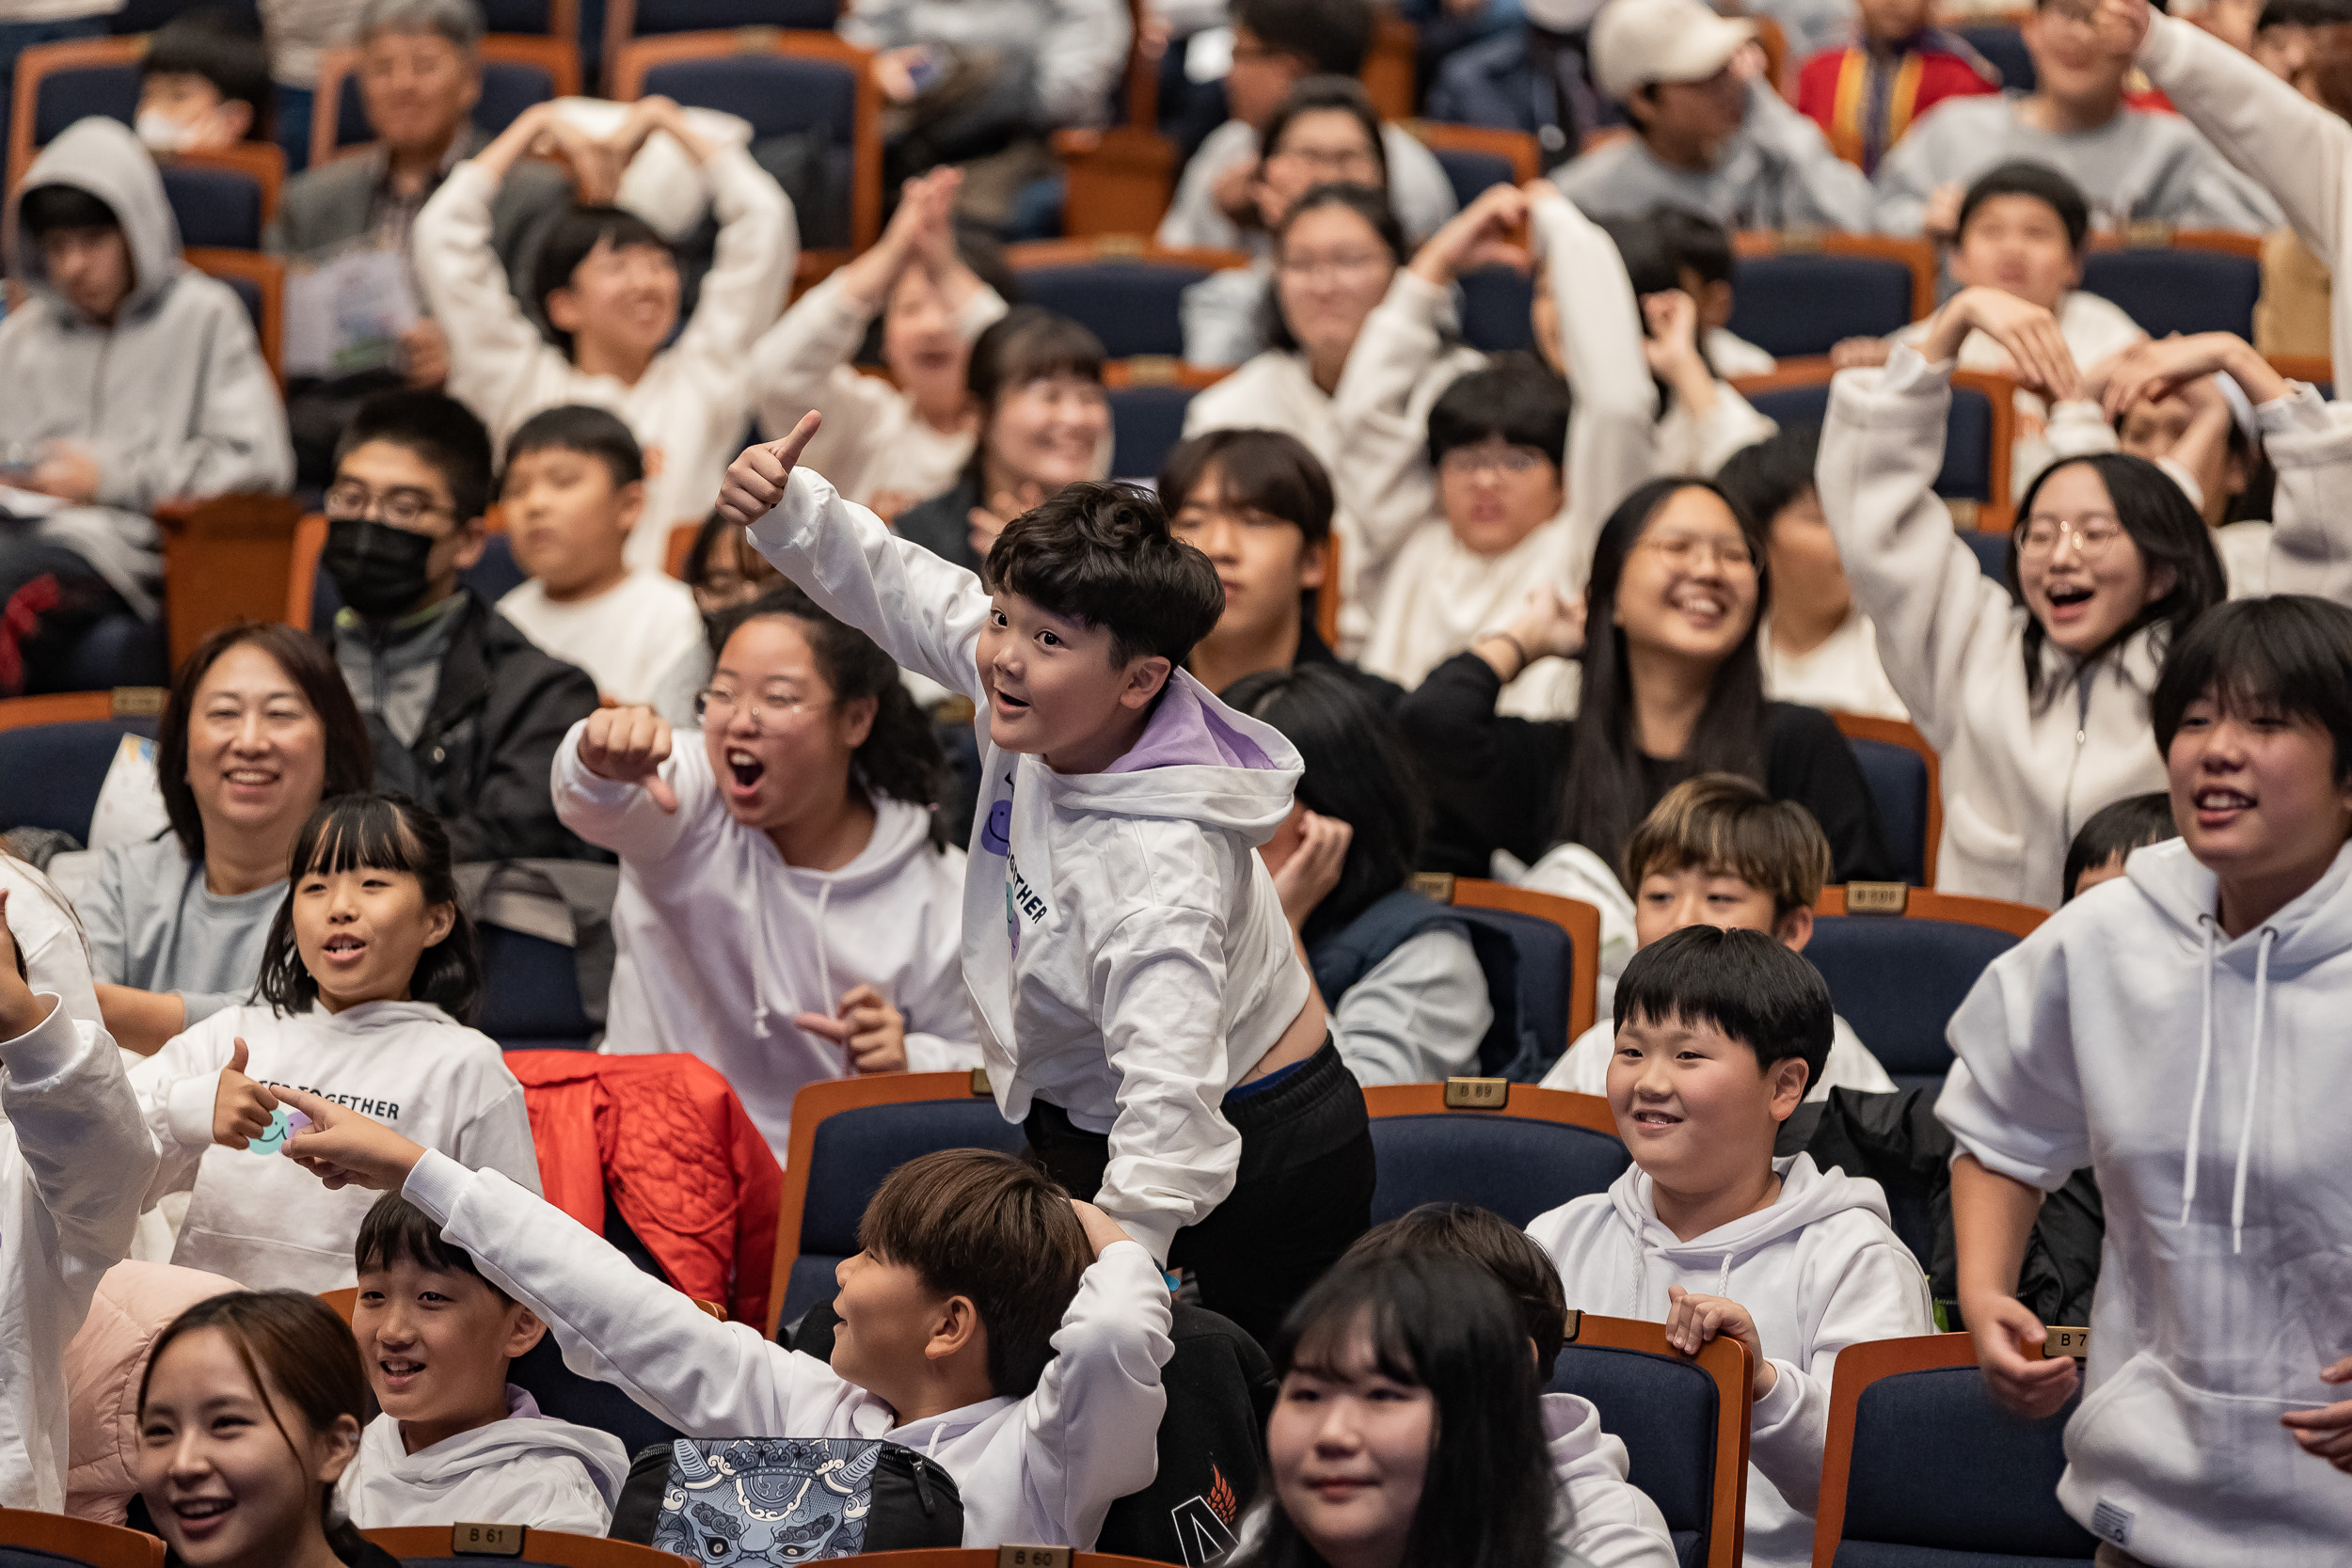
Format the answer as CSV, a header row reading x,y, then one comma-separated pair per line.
x,y
888,443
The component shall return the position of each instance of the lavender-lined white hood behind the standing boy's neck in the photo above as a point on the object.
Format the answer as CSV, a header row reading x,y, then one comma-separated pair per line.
x,y
1196,760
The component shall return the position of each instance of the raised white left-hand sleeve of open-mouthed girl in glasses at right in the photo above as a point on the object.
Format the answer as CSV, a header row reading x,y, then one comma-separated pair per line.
x,y
1937,615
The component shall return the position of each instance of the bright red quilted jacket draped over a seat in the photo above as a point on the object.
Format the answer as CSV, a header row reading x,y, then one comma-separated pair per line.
x,y
681,1158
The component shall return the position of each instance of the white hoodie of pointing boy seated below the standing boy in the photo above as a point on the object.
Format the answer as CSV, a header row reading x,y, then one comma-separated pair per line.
x,y
1038,1470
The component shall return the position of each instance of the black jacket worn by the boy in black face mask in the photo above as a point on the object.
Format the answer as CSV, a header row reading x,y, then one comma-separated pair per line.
x,y
488,749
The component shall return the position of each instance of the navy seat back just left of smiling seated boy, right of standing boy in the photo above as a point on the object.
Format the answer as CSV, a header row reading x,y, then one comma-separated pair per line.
x,y
1525,1158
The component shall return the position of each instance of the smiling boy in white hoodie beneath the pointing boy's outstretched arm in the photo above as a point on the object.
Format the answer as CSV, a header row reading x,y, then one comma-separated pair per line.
x,y
455,1440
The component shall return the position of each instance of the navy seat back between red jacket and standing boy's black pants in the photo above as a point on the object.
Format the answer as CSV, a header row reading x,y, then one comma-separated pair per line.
x,y
848,1134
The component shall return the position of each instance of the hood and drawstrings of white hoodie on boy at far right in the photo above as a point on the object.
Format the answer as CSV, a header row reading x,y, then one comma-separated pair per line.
x,y
2283,949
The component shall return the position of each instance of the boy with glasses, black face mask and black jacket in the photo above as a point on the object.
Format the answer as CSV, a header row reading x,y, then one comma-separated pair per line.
x,y
465,711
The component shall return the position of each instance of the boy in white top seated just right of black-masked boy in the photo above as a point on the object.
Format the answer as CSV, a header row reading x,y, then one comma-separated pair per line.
x,y
573,495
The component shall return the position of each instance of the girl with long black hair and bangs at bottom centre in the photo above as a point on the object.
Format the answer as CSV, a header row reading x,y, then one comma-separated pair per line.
x,y
1408,1428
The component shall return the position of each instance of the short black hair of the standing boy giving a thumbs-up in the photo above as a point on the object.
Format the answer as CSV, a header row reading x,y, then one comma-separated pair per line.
x,y
1104,556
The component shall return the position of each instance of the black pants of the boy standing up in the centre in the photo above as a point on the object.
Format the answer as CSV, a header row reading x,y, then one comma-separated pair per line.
x,y
1299,1198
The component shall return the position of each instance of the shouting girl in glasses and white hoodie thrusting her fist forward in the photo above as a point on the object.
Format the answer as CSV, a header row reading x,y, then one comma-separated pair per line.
x,y
789,909
